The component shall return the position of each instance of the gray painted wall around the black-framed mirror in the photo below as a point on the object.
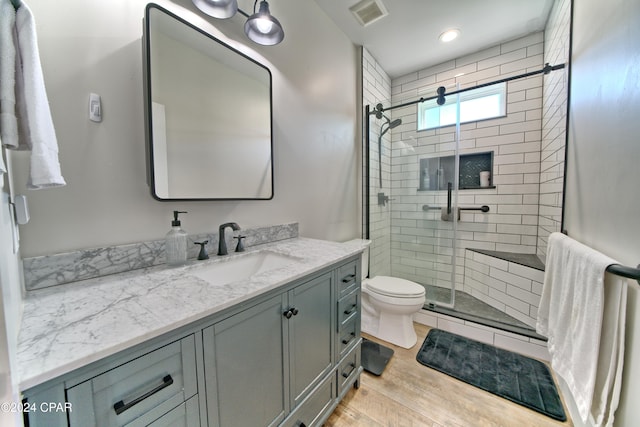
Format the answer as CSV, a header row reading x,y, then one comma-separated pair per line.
x,y
95,46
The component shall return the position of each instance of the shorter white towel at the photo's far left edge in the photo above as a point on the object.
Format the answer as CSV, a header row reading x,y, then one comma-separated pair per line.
x,y
8,120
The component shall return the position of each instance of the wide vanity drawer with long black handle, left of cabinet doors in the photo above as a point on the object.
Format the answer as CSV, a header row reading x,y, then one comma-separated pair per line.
x,y
150,386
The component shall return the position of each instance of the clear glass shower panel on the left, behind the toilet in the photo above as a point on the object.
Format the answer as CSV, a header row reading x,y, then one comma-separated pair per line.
x,y
413,198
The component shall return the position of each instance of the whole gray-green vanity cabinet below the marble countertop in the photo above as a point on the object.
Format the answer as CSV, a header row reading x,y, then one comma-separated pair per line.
x,y
284,358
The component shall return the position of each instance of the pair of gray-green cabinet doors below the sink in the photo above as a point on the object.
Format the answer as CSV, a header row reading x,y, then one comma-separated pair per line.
x,y
262,363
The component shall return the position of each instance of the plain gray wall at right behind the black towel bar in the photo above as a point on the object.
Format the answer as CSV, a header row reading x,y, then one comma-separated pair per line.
x,y
602,205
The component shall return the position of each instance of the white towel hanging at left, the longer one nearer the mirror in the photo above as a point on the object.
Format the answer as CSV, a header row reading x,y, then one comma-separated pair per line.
x,y
32,101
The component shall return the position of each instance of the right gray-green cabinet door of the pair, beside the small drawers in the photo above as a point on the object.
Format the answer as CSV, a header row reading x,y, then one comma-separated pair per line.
x,y
310,334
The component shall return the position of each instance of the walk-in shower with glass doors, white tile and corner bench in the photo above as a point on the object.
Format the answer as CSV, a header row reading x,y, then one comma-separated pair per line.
x,y
475,245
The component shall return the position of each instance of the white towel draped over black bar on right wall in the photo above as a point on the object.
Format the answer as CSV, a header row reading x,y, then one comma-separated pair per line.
x,y
582,313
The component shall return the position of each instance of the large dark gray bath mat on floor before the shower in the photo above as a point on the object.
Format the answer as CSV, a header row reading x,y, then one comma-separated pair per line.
x,y
520,379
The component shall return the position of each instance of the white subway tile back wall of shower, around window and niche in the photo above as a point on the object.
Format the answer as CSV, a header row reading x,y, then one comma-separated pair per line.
x,y
421,243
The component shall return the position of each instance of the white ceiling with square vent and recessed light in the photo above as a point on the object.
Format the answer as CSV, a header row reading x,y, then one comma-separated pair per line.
x,y
407,39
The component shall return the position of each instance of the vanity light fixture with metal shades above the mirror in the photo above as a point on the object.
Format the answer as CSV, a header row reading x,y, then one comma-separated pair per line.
x,y
261,27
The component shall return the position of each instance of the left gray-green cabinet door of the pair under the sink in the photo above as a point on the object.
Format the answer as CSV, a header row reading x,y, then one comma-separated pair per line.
x,y
245,372
